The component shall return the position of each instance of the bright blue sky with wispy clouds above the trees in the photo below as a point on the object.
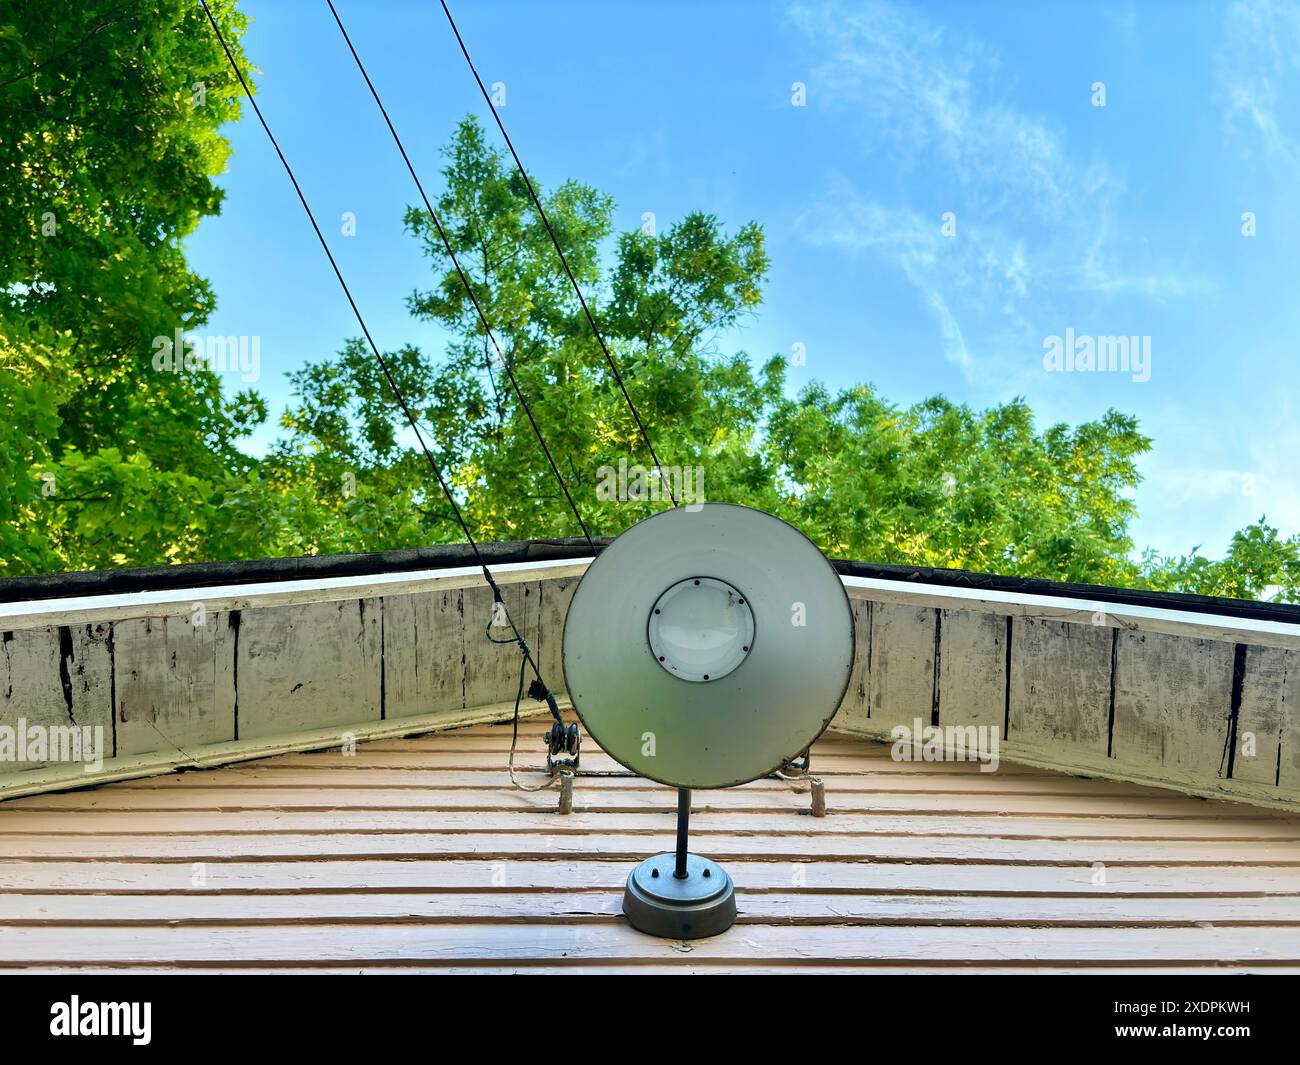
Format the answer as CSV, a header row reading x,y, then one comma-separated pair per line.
x,y
1116,220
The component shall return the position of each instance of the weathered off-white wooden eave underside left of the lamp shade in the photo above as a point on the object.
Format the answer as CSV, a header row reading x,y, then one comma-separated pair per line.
x,y
190,685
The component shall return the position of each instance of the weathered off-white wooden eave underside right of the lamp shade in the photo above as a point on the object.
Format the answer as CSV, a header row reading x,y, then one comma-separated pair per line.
x,y
1087,690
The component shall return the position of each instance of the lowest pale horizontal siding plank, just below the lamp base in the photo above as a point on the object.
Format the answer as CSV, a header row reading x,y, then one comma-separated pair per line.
x,y
583,945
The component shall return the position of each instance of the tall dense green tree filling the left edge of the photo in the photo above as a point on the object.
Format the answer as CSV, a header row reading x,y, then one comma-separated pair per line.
x,y
109,146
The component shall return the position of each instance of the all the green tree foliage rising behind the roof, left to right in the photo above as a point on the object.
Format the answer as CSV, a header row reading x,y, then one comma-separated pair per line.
x,y
145,466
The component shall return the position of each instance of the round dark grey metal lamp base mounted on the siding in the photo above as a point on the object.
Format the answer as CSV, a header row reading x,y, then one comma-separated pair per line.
x,y
699,906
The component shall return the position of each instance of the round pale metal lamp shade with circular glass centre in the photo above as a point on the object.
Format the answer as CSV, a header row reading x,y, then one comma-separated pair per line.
x,y
742,668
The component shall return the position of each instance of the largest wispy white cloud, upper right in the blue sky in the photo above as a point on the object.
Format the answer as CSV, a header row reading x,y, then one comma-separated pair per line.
x,y
1037,220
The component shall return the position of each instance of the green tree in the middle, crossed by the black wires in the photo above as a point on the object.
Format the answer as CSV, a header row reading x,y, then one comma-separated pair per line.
x,y
665,297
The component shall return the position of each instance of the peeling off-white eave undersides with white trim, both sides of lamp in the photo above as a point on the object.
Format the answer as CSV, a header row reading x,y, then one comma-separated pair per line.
x,y
1208,704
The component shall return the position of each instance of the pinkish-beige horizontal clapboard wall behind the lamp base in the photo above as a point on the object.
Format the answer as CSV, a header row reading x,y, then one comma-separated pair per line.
x,y
418,855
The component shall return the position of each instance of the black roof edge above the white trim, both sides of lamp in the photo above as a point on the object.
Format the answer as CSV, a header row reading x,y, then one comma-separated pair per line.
x,y
453,556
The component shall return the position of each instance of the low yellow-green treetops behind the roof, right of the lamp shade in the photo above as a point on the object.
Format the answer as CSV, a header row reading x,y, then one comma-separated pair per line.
x,y
943,486
